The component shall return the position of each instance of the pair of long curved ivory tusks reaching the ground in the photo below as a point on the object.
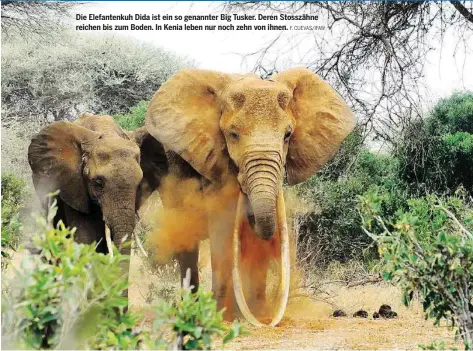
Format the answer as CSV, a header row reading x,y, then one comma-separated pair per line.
x,y
285,264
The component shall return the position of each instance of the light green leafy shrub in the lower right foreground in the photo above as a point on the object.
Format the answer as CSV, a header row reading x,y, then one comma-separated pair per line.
x,y
428,249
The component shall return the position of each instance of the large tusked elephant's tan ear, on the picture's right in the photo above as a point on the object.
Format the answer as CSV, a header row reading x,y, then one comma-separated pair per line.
x,y
323,121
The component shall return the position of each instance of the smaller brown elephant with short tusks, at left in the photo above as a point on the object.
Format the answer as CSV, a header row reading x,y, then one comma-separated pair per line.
x,y
103,175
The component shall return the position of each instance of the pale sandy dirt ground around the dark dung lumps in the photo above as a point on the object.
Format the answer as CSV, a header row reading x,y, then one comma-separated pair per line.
x,y
308,323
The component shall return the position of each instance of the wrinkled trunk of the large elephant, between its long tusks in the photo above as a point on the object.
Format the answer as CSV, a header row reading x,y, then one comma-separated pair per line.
x,y
262,180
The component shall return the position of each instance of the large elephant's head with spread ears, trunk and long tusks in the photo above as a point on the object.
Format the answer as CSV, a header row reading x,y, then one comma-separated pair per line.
x,y
257,130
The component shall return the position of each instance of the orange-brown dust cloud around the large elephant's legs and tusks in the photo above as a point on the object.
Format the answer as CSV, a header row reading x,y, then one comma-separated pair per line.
x,y
182,222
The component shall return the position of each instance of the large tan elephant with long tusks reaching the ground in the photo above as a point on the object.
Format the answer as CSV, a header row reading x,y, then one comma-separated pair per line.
x,y
229,128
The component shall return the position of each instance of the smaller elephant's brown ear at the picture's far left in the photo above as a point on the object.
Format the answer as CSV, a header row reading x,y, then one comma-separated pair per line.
x,y
55,156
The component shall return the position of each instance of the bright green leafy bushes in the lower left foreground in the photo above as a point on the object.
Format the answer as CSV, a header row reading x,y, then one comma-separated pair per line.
x,y
69,296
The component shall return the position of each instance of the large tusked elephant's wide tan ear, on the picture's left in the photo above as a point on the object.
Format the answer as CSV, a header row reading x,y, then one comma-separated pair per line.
x,y
184,116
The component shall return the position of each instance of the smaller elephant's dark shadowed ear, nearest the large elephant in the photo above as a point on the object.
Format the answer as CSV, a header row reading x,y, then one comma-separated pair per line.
x,y
153,163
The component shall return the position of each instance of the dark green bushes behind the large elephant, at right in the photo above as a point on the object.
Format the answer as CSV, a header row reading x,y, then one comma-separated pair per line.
x,y
433,155
